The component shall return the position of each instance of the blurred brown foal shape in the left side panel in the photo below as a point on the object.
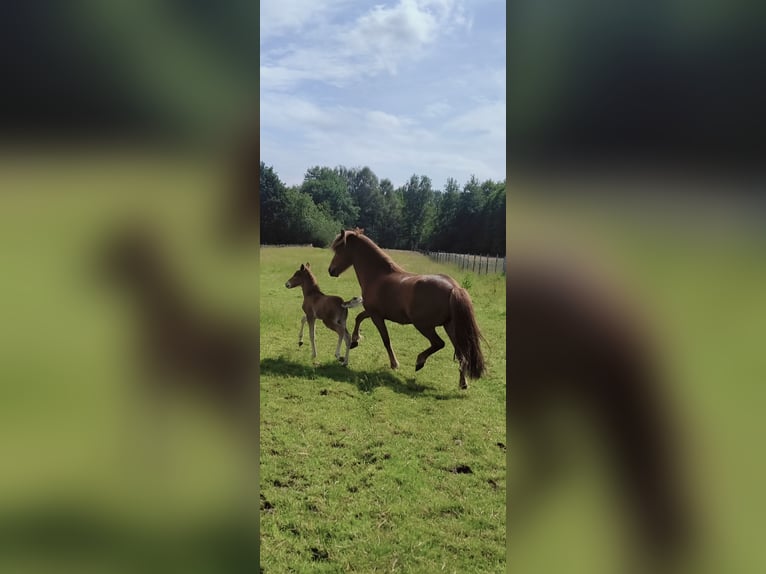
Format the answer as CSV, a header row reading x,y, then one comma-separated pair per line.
x,y
180,346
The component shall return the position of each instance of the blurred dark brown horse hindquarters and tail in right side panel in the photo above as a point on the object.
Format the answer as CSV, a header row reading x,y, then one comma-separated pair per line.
x,y
574,345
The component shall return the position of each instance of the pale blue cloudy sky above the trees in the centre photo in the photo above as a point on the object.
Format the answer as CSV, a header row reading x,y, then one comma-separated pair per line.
x,y
405,87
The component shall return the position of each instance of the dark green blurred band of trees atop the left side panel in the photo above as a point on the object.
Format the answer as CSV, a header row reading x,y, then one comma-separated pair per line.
x,y
171,70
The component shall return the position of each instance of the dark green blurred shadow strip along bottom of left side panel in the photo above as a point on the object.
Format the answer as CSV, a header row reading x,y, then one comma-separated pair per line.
x,y
84,534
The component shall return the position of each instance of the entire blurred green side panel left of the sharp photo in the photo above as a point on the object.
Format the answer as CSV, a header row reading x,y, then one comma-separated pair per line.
x,y
115,116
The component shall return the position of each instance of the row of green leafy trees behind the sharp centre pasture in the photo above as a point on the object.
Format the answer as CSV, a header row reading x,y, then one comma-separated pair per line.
x,y
414,216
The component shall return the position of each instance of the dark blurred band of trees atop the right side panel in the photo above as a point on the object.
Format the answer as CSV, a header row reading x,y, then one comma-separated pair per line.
x,y
636,84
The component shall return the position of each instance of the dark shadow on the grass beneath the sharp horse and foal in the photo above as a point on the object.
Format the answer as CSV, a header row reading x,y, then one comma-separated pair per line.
x,y
365,381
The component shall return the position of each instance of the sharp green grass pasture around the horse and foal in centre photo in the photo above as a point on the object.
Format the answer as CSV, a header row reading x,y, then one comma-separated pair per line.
x,y
358,464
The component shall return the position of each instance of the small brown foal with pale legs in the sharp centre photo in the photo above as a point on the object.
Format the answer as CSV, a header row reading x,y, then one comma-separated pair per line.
x,y
330,309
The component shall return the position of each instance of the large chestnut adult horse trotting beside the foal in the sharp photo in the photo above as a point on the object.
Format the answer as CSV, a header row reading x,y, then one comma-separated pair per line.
x,y
425,301
